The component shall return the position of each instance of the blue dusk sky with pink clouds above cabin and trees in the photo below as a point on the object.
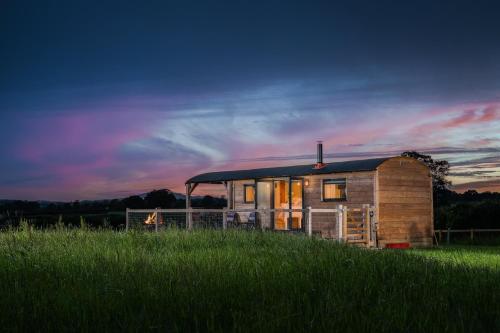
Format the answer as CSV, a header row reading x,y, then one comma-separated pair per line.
x,y
107,99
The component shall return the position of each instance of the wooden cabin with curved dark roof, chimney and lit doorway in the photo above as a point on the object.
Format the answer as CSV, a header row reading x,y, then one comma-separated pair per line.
x,y
398,188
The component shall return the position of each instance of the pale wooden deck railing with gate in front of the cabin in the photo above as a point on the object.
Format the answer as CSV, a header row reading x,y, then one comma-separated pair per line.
x,y
351,224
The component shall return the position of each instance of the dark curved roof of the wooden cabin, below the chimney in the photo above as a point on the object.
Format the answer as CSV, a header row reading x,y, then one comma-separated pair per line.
x,y
288,171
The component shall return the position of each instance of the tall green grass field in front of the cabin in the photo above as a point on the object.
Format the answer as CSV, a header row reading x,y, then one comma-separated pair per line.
x,y
80,280
